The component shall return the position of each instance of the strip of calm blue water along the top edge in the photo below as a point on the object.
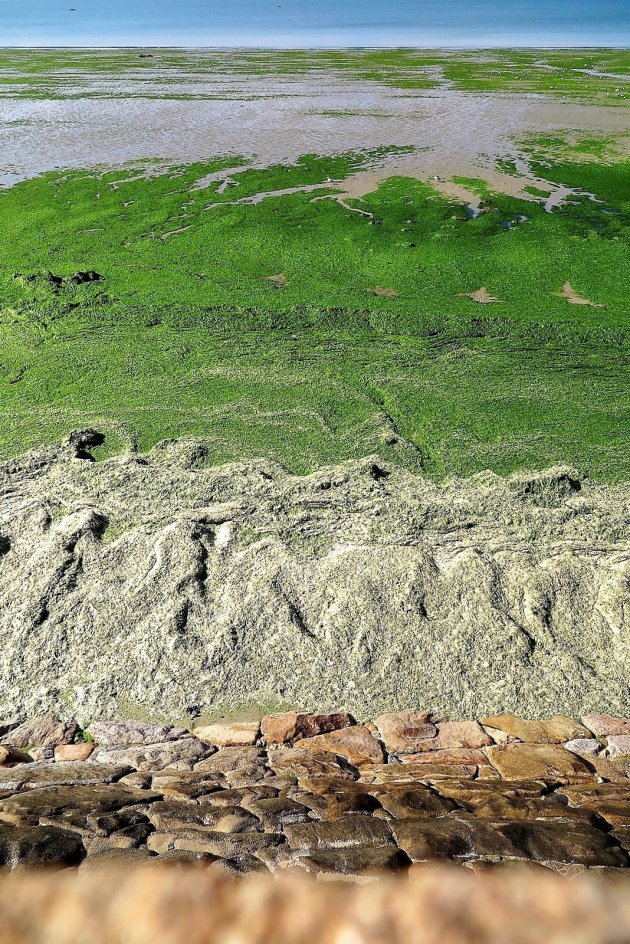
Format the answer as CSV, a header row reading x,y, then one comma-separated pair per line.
x,y
313,23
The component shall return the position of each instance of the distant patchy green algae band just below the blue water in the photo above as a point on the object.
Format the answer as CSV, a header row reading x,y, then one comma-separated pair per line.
x,y
595,75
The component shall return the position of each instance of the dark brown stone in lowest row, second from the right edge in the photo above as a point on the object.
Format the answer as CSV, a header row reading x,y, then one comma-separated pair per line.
x,y
450,837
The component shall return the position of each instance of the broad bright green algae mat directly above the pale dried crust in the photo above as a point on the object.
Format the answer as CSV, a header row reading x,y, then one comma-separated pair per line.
x,y
290,326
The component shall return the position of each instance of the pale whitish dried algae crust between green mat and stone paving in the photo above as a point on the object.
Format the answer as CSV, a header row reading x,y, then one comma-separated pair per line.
x,y
360,585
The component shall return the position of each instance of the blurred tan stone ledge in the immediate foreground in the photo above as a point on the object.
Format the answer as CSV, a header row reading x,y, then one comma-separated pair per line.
x,y
161,905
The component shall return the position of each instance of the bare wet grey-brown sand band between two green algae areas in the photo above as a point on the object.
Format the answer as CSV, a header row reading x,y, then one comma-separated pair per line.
x,y
272,119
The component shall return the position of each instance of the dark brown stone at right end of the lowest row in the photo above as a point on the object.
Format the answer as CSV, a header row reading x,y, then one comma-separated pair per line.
x,y
554,842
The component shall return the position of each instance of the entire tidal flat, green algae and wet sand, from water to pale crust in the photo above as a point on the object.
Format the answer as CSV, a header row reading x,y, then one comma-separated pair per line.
x,y
313,256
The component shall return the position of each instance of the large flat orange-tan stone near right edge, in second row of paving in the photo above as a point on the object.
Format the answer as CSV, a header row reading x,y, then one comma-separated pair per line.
x,y
537,762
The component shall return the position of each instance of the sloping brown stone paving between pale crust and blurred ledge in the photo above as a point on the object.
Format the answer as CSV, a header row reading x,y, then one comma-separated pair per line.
x,y
318,793
